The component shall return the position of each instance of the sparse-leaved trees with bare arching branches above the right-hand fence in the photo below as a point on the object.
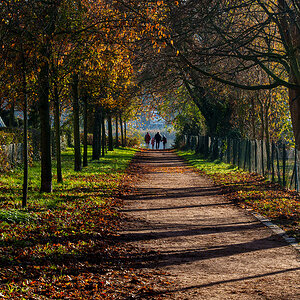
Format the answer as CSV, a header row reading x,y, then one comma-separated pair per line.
x,y
238,61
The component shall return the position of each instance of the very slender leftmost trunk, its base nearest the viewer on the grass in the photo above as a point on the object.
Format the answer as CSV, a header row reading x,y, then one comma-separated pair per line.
x,y
25,135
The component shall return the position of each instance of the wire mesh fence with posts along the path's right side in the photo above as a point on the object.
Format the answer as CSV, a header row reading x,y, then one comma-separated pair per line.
x,y
274,161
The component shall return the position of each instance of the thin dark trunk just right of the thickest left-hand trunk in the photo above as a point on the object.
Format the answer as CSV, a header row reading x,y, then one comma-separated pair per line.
x,y
57,133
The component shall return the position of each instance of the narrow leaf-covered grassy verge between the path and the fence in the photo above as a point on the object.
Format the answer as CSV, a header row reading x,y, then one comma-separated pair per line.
x,y
253,191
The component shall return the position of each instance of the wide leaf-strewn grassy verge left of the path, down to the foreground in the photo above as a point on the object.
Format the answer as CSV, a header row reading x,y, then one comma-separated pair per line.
x,y
61,246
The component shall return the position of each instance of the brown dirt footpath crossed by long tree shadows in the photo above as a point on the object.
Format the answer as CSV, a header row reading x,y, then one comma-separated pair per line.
x,y
211,248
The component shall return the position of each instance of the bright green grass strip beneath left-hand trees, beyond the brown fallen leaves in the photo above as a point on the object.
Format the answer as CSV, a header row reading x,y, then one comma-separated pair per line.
x,y
111,166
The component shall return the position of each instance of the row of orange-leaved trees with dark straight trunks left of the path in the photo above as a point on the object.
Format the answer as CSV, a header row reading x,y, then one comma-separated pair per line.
x,y
58,53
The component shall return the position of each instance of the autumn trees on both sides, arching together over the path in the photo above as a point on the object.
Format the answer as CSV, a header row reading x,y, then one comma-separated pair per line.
x,y
235,60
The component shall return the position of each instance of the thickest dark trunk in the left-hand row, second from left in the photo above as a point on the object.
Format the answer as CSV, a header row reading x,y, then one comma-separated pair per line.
x,y
44,111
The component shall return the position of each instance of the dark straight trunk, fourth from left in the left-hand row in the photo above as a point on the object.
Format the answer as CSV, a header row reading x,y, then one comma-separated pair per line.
x,y
77,166
